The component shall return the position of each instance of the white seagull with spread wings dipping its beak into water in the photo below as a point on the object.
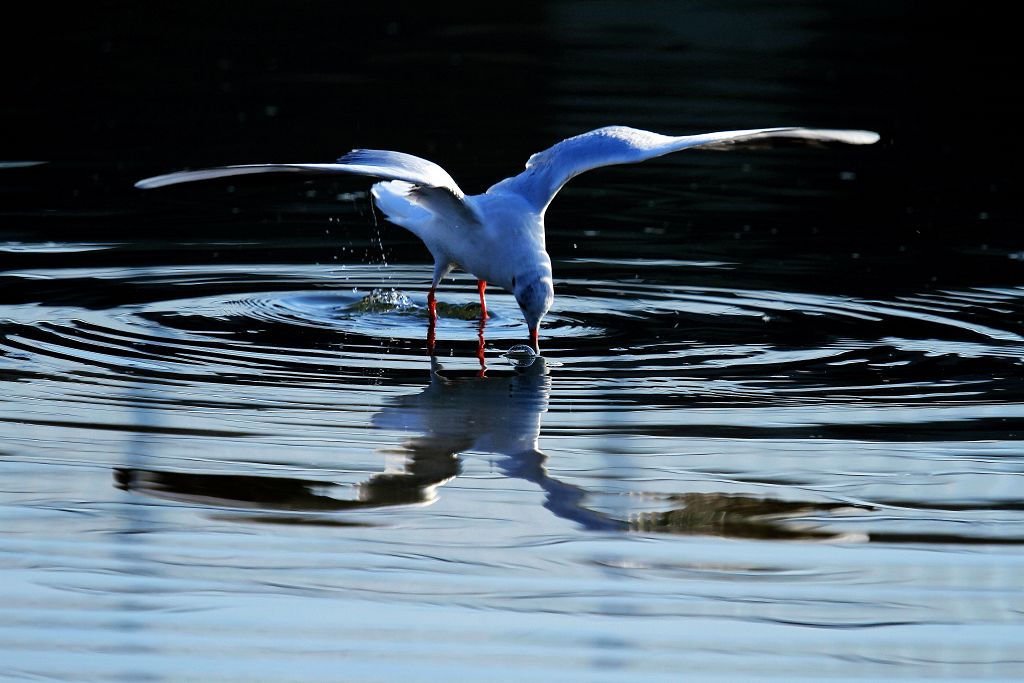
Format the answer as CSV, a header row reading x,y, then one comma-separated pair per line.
x,y
498,237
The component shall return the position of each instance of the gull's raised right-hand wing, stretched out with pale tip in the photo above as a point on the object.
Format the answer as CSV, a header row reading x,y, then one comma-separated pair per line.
x,y
547,172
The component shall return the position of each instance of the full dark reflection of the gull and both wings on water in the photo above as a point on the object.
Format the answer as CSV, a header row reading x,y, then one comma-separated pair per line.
x,y
459,412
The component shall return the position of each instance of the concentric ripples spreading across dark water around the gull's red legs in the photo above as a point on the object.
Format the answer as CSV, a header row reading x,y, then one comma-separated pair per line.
x,y
251,323
